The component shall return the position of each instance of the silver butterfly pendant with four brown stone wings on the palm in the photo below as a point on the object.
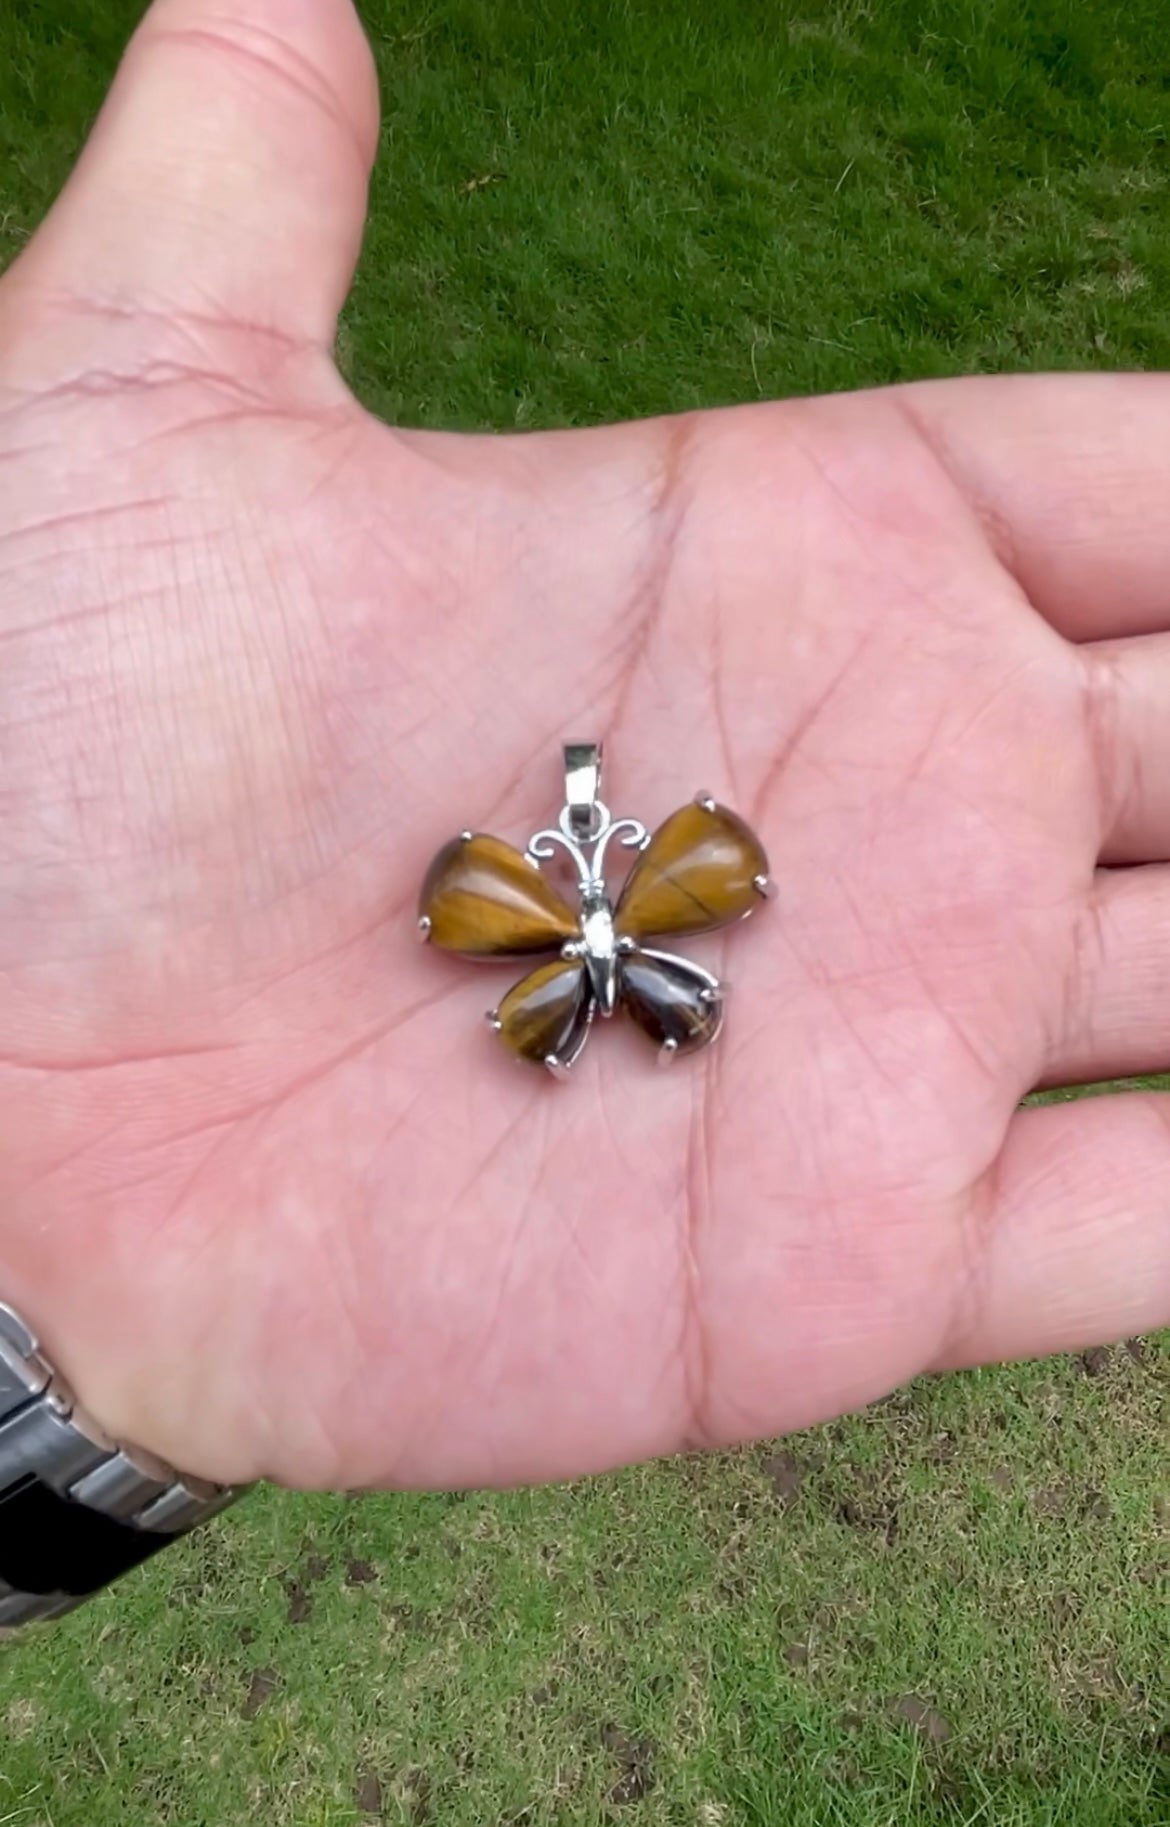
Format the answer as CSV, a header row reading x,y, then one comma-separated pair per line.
x,y
701,871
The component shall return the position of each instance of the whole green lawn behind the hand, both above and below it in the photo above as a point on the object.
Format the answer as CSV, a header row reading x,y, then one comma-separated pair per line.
x,y
953,1609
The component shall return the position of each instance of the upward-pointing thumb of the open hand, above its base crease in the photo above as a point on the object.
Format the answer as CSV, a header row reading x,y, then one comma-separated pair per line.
x,y
228,173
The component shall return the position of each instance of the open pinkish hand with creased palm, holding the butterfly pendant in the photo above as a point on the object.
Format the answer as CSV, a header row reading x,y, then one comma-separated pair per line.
x,y
271,1192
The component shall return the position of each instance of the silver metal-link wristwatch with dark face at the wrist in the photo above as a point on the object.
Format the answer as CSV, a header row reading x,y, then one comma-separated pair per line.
x,y
76,1508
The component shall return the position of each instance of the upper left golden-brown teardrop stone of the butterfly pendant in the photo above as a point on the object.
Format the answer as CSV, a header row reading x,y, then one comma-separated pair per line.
x,y
484,900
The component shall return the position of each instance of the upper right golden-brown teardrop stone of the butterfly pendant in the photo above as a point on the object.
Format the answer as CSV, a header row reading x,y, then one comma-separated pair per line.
x,y
697,874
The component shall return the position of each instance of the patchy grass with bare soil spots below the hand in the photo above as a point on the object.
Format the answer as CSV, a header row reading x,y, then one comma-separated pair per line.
x,y
729,1640
